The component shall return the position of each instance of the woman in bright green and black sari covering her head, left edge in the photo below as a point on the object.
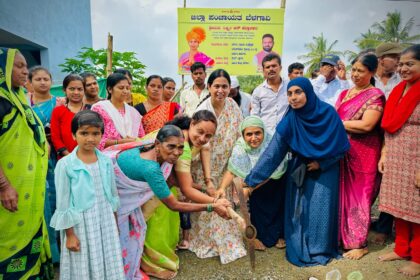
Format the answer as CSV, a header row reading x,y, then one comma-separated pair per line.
x,y
24,248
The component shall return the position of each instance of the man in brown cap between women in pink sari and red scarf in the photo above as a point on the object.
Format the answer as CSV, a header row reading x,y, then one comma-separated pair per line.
x,y
386,77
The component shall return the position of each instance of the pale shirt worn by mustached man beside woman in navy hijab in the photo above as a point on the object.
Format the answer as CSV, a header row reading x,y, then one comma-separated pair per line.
x,y
268,104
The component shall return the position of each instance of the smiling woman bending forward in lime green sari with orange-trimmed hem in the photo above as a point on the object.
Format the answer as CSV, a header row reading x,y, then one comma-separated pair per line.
x,y
159,258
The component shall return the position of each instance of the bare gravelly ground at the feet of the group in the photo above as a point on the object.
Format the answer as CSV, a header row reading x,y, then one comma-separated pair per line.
x,y
272,264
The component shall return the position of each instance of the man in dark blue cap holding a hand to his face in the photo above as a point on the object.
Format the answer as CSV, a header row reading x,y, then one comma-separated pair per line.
x,y
327,86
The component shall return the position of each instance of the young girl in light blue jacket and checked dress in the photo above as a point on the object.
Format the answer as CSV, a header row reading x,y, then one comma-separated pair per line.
x,y
86,201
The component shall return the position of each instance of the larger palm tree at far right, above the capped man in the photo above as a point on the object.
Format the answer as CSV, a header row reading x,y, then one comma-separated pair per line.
x,y
391,29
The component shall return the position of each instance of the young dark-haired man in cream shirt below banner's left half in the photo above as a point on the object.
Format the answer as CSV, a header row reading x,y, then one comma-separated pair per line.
x,y
192,96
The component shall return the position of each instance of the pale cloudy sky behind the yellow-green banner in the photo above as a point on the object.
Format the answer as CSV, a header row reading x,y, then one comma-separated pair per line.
x,y
149,27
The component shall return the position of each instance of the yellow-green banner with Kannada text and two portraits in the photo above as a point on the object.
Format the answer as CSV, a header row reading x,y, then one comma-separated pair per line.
x,y
231,39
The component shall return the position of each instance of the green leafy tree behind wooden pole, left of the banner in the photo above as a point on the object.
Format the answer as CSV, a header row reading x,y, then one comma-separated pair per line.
x,y
94,61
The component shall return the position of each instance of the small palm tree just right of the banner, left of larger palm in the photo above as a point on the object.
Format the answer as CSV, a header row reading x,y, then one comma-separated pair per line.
x,y
318,49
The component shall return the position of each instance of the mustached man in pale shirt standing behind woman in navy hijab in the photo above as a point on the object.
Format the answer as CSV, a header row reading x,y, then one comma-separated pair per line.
x,y
269,100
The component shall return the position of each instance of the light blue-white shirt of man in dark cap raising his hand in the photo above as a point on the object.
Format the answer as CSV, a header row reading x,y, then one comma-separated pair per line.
x,y
329,92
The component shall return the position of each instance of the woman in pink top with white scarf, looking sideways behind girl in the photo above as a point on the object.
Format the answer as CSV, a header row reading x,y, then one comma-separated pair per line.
x,y
122,122
